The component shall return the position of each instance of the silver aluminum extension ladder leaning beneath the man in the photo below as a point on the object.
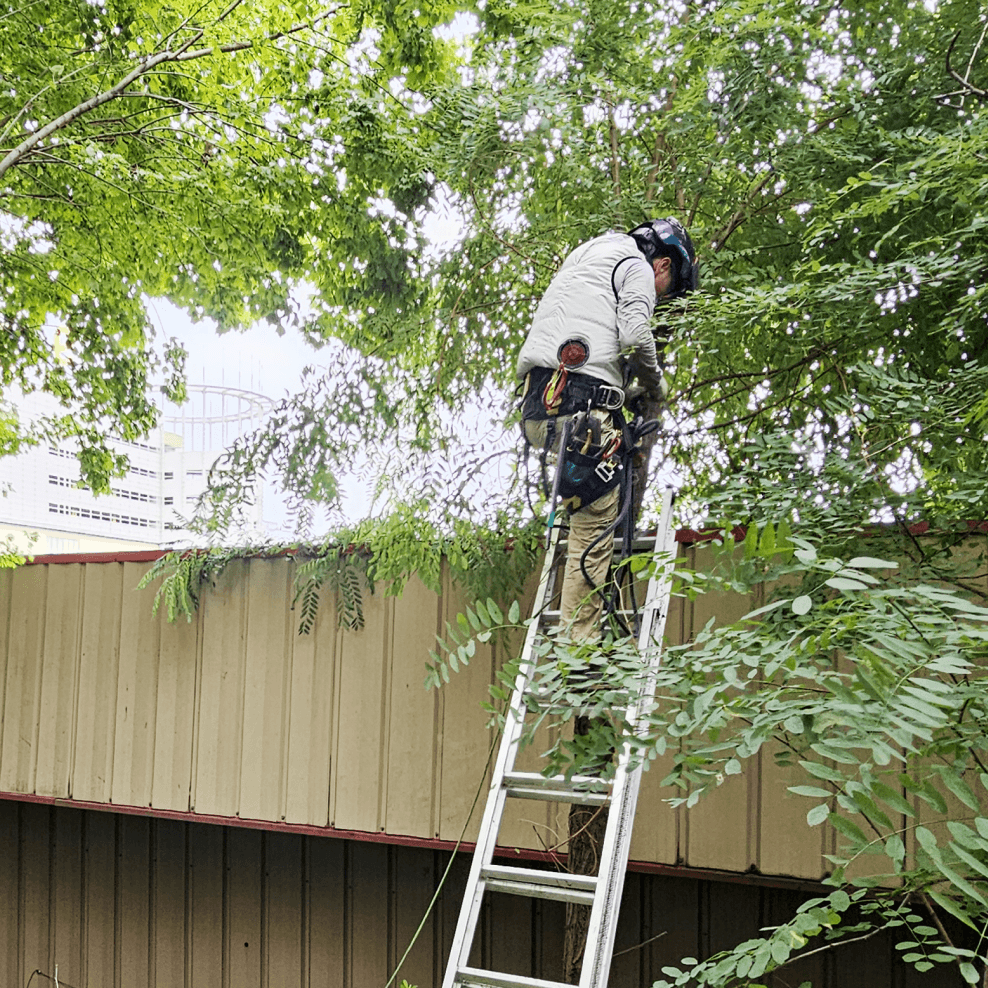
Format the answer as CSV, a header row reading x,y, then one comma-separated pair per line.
x,y
603,891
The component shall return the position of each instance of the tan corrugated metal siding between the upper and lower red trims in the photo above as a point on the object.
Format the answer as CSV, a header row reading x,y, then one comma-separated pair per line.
x,y
236,715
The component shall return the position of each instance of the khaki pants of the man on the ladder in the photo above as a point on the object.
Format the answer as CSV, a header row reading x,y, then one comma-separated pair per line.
x,y
580,607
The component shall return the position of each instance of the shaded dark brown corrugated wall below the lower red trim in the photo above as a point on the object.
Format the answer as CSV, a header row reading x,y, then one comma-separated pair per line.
x,y
133,902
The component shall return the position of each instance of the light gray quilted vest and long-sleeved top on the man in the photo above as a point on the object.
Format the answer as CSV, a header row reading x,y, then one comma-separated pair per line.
x,y
603,296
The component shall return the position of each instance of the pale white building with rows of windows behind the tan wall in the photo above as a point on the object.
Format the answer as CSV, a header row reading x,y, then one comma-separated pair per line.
x,y
149,507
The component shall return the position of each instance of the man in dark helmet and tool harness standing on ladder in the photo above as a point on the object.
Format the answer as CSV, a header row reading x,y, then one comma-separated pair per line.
x,y
590,338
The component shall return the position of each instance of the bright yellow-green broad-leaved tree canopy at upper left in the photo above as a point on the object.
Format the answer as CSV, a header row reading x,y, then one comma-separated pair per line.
x,y
214,153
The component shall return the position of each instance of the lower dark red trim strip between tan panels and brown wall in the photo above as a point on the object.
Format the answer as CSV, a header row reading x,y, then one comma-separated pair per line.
x,y
404,840
